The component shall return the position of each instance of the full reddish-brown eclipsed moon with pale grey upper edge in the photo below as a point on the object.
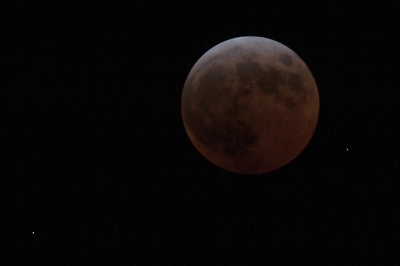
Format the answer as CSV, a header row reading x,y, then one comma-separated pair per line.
x,y
250,105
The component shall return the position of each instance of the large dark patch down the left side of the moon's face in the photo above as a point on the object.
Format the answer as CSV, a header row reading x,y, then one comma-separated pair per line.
x,y
235,135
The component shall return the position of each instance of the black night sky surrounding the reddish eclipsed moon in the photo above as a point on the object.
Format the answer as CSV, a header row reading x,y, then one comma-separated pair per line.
x,y
96,162
